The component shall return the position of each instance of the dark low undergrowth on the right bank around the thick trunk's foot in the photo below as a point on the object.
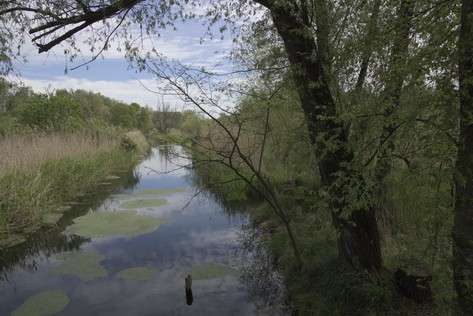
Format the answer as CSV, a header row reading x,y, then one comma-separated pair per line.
x,y
326,285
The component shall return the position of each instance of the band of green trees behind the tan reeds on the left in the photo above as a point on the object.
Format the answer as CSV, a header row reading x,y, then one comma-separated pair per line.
x,y
22,109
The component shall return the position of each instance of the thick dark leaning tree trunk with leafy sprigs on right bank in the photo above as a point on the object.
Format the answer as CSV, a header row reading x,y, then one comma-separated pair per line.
x,y
311,70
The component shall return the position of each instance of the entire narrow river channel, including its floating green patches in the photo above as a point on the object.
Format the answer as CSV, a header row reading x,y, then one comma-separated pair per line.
x,y
129,254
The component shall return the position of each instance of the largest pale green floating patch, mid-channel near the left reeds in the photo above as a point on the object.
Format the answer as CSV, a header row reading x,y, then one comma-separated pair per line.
x,y
123,223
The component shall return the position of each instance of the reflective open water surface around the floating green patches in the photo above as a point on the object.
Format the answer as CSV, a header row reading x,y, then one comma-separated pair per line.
x,y
199,237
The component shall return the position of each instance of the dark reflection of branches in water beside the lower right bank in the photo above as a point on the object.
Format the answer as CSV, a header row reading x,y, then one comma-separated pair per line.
x,y
259,272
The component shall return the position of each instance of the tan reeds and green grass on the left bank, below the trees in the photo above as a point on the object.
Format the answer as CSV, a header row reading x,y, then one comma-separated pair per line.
x,y
42,176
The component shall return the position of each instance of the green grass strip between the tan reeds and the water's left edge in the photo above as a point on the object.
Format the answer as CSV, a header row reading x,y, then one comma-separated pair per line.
x,y
33,197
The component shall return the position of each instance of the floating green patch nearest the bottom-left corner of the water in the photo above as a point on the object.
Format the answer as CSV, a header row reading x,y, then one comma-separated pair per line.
x,y
43,304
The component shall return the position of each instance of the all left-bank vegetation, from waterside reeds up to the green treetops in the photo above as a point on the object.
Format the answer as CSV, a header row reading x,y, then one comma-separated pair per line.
x,y
54,148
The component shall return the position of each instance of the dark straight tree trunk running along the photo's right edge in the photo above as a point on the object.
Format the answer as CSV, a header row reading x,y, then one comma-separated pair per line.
x,y
463,225
